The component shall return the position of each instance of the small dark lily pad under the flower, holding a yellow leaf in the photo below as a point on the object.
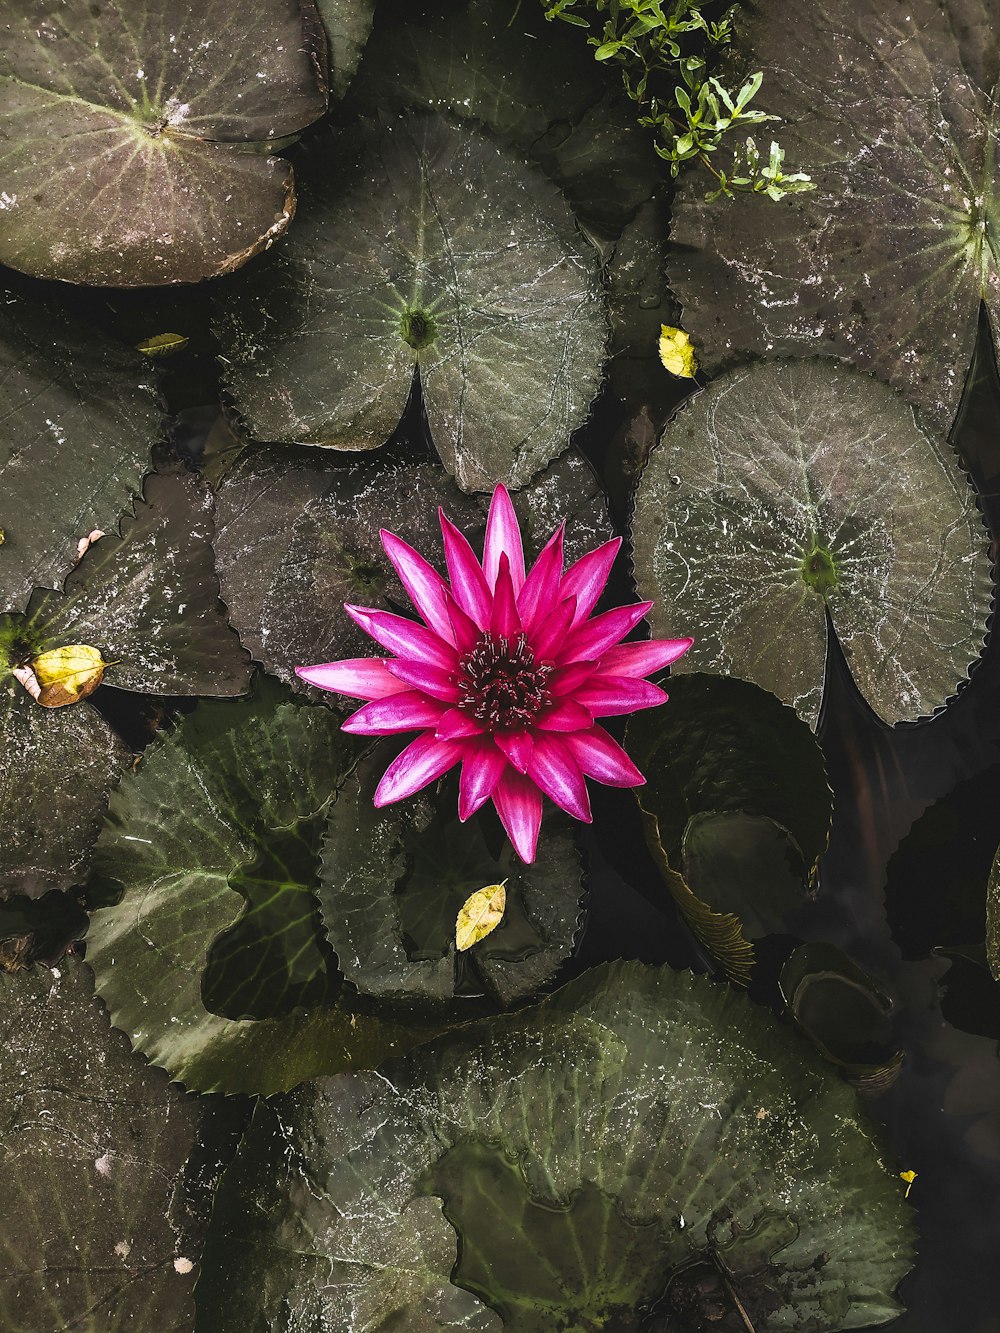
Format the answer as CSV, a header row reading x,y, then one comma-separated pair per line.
x,y
393,884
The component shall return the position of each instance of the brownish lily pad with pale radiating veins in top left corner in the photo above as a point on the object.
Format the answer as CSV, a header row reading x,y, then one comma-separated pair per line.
x,y
139,151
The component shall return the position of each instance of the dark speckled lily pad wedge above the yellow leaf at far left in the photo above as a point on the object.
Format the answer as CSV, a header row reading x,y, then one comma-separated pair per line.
x,y
149,599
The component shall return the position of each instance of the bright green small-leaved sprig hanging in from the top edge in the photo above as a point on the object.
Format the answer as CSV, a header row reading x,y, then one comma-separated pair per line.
x,y
690,110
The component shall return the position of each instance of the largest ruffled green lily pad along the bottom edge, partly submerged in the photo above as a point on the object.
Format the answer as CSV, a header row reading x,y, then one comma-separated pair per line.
x,y
638,1104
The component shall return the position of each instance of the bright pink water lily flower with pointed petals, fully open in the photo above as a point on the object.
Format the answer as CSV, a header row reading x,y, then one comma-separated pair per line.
x,y
506,676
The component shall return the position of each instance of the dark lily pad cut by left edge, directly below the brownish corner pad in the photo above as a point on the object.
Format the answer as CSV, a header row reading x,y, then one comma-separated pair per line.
x,y
79,411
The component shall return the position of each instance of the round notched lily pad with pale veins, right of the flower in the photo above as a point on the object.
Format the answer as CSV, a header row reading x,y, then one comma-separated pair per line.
x,y
793,493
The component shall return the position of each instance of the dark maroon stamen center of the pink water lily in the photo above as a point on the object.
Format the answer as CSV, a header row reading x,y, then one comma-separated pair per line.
x,y
502,684
